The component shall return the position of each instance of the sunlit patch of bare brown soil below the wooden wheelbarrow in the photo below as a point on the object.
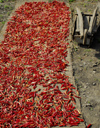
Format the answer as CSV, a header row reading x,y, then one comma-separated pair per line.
x,y
86,70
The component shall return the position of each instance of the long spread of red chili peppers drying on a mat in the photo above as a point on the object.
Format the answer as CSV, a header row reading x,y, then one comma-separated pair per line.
x,y
34,90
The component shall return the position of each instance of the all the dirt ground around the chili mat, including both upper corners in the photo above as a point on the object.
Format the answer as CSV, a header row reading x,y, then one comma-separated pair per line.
x,y
86,63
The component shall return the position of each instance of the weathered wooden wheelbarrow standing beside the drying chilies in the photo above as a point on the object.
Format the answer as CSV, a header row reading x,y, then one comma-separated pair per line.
x,y
84,26
